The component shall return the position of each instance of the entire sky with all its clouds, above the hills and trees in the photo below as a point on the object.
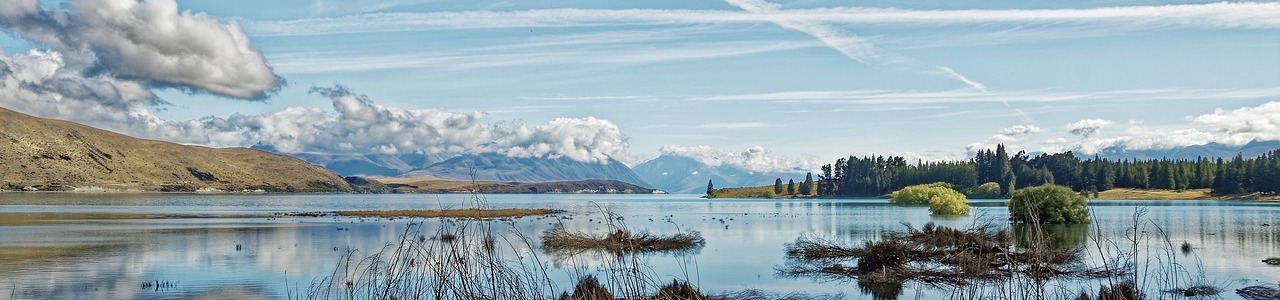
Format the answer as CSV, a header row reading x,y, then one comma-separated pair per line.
x,y
798,81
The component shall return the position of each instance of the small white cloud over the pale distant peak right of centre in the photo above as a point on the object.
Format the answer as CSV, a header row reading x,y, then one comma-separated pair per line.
x,y
753,160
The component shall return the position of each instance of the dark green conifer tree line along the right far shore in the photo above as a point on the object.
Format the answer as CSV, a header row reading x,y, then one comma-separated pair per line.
x,y
876,176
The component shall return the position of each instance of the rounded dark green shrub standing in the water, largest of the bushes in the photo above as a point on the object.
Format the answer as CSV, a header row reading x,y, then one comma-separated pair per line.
x,y
1049,204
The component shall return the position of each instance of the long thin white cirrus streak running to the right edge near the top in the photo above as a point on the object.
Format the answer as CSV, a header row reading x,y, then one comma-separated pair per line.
x,y
1213,16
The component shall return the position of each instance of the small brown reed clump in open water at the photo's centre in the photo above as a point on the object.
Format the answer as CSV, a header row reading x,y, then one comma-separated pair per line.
x,y
620,242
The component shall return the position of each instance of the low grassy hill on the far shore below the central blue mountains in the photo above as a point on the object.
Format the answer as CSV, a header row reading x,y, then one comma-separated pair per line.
x,y
445,187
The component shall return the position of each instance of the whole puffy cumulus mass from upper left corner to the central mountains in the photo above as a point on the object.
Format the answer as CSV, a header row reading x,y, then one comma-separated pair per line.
x,y
102,60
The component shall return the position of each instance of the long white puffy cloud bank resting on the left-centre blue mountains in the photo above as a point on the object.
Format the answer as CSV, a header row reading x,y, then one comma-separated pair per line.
x,y
356,125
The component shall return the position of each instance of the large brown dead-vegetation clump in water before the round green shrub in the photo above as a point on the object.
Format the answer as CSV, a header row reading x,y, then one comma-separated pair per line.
x,y
934,256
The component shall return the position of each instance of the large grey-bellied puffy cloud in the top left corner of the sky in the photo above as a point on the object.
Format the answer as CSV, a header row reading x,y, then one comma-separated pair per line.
x,y
150,43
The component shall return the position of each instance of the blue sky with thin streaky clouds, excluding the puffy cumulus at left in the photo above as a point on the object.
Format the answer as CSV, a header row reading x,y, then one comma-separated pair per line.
x,y
810,80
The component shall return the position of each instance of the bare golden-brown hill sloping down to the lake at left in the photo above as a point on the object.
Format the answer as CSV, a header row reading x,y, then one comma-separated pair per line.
x,y
57,156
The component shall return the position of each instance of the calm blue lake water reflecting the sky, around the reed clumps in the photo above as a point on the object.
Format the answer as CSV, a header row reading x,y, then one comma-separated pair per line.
x,y
49,251
